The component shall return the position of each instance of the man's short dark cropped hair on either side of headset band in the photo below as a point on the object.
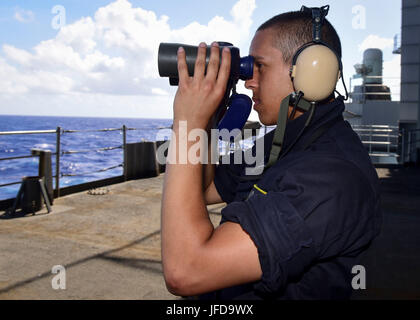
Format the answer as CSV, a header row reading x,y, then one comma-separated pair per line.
x,y
294,29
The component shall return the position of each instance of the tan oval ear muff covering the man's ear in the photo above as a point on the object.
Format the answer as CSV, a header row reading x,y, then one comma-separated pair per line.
x,y
315,72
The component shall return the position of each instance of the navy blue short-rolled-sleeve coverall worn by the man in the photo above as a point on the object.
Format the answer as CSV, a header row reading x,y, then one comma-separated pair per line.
x,y
321,210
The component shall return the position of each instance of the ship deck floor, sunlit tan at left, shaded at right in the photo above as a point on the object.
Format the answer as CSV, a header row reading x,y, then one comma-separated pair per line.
x,y
109,244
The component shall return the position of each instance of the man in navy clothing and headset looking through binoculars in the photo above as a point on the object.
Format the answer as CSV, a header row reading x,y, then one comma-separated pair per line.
x,y
296,231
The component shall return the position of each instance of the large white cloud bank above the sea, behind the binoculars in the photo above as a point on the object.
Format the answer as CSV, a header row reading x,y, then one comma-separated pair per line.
x,y
112,53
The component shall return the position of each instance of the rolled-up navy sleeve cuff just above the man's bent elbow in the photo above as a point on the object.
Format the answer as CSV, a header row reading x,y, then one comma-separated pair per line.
x,y
285,245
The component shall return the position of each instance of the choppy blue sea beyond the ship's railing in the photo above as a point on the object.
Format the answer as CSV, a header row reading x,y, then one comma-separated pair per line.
x,y
82,165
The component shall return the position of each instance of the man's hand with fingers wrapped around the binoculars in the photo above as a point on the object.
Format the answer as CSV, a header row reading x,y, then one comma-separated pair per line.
x,y
198,97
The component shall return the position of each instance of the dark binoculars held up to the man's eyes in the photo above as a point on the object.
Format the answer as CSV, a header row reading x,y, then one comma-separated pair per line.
x,y
241,68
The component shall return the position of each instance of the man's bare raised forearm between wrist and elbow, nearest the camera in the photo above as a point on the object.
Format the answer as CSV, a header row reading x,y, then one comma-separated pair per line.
x,y
185,221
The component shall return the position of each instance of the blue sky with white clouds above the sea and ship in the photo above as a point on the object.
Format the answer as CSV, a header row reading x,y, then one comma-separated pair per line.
x,y
98,58
